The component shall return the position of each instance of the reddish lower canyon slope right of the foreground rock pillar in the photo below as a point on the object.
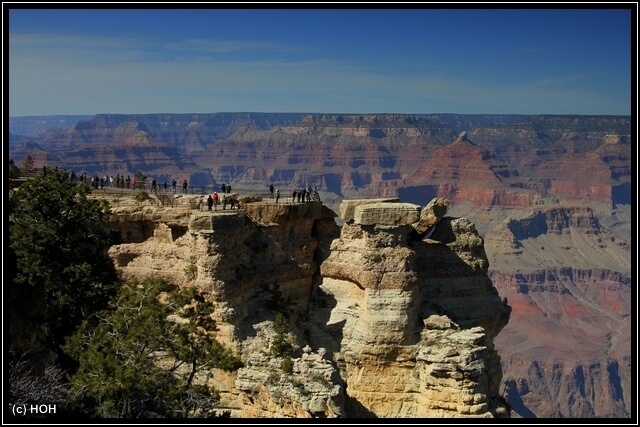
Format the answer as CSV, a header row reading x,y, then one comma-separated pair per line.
x,y
568,281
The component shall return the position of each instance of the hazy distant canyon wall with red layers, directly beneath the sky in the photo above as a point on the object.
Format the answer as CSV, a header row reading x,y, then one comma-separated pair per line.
x,y
488,159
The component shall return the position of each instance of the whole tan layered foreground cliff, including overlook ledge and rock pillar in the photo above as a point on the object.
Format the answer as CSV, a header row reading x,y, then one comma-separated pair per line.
x,y
386,322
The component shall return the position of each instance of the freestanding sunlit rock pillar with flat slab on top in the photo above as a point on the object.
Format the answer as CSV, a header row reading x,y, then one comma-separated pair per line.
x,y
413,320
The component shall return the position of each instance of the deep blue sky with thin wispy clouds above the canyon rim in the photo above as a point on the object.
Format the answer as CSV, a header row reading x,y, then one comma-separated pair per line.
x,y
422,60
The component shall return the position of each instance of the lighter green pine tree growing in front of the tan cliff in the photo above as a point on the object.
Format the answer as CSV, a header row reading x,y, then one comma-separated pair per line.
x,y
131,359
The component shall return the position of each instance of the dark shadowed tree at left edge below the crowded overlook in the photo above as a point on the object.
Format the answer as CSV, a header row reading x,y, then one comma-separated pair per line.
x,y
58,255
